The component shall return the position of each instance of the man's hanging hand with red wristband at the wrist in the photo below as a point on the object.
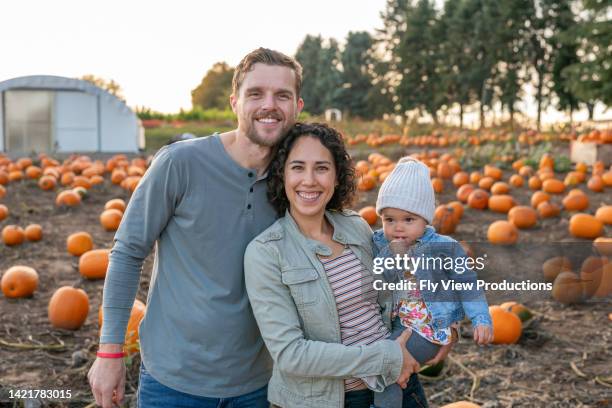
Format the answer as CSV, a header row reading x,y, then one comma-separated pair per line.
x,y
107,378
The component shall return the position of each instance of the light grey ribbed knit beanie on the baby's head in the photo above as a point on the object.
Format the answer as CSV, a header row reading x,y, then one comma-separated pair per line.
x,y
408,187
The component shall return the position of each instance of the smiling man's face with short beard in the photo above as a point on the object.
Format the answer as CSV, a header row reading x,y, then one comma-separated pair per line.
x,y
266,104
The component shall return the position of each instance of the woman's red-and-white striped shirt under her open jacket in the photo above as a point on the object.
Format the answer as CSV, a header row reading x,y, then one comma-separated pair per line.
x,y
358,310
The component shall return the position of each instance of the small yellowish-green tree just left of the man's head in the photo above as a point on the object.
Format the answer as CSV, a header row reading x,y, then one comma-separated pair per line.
x,y
215,89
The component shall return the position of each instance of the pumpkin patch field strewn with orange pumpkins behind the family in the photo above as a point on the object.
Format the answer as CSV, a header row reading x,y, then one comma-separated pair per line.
x,y
542,227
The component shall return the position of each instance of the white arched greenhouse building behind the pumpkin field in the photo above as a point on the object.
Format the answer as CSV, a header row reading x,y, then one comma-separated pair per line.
x,y
43,113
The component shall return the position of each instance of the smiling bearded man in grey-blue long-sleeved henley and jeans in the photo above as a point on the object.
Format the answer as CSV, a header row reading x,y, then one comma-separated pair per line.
x,y
201,201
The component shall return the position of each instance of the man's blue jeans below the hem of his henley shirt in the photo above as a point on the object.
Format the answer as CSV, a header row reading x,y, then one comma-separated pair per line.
x,y
152,394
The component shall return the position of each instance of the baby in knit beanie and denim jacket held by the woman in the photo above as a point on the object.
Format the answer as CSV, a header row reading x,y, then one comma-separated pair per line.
x,y
406,204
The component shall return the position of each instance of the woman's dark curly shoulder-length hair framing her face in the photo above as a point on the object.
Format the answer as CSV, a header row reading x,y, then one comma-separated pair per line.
x,y
332,140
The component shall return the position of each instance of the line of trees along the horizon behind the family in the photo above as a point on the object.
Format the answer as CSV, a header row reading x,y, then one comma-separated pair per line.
x,y
476,54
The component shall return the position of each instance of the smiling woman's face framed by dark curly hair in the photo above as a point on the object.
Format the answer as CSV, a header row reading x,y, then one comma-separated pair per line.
x,y
310,177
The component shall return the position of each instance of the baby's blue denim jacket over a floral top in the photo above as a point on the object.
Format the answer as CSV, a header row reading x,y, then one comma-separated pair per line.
x,y
446,306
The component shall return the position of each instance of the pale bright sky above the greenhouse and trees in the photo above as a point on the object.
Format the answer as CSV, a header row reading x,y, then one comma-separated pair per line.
x,y
158,51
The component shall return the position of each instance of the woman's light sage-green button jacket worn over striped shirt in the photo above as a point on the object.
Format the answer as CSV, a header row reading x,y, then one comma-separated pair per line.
x,y
297,315
